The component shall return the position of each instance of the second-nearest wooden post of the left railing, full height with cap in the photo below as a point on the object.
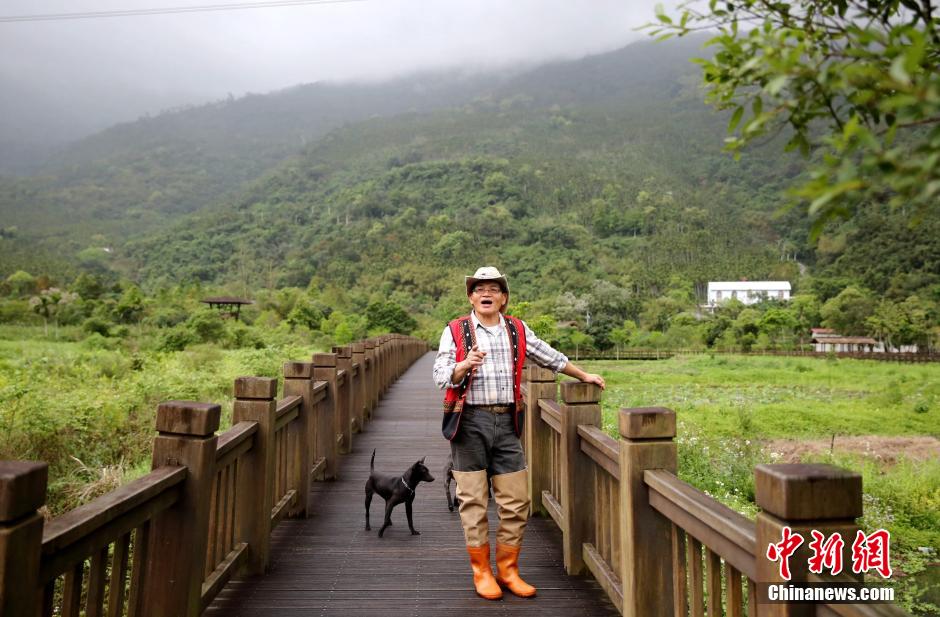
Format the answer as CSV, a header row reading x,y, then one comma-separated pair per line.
x,y
186,437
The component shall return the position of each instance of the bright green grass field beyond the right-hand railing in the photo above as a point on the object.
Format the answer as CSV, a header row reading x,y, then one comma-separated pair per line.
x,y
734,412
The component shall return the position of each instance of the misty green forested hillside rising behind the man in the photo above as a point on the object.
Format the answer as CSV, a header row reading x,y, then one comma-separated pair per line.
x,y
598,184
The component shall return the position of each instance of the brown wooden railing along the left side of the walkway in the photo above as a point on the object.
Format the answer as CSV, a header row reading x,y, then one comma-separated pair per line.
x,y
165,544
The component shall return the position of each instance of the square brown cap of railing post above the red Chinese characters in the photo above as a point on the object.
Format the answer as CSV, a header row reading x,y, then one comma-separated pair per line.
x,y
806,492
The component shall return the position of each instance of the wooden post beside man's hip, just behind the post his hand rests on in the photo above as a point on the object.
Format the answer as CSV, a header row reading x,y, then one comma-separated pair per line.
x,y
538,435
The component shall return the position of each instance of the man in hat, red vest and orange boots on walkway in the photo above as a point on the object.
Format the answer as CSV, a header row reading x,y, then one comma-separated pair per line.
x,y
479,363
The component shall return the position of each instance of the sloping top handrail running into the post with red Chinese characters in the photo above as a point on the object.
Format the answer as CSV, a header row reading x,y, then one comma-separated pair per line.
x,y
724,531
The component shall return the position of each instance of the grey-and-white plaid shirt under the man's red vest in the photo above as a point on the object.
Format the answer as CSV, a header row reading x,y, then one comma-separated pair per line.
x,y
492,382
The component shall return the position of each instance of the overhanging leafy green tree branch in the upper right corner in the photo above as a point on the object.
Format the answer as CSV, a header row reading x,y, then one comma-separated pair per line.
x,y
855,82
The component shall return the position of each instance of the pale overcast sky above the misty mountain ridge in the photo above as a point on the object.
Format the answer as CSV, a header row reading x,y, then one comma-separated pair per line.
x,y
75,76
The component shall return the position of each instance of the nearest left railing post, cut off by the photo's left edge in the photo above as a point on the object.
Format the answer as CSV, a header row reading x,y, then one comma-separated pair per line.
x,y
22,492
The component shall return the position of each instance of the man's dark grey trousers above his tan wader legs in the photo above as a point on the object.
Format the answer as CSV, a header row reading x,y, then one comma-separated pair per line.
x,y
487,441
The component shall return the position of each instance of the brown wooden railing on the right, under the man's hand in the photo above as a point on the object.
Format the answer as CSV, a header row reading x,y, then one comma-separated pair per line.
x,y
658,546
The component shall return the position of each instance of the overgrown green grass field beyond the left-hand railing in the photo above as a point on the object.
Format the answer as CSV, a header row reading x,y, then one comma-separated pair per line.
x,y
88,406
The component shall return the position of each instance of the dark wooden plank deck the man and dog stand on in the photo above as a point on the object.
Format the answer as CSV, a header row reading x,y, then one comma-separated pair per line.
x,y
329,565
